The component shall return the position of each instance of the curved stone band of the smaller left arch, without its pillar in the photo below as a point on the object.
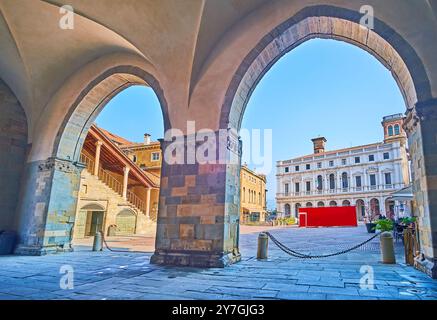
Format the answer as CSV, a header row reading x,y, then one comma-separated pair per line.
x,y
91,101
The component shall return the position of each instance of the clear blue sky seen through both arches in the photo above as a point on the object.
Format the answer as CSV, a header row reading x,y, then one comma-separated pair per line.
x,y
321,88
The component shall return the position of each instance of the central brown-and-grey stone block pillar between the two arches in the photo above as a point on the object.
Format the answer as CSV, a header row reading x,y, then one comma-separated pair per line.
x,y
198,218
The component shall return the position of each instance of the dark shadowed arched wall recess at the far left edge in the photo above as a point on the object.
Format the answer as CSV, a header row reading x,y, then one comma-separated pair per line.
x,y
13,142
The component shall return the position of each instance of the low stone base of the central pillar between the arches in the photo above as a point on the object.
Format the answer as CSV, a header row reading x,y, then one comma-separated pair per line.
x,y
194,259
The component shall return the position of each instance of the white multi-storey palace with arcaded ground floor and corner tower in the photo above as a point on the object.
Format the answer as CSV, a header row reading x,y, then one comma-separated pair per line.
x,y
361,176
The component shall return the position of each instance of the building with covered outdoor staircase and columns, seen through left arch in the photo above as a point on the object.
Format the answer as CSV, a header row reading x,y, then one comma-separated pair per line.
x,y
115,195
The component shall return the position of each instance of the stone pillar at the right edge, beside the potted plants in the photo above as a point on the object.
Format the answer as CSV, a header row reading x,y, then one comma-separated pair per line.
x,y
421,127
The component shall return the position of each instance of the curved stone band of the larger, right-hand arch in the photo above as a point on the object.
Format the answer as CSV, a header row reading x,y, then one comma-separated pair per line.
x,y
327,22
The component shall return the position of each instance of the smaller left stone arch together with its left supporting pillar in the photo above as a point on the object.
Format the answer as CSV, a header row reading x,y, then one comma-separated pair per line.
x,y
58,177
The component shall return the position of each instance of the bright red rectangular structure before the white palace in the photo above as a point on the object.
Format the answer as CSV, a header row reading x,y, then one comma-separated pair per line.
x,y
328,217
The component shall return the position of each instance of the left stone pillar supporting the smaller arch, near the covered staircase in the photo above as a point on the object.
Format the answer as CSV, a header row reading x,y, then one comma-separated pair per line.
x,y
47,206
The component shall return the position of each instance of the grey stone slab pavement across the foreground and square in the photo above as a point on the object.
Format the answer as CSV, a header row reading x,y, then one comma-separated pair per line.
x,y
111,275
